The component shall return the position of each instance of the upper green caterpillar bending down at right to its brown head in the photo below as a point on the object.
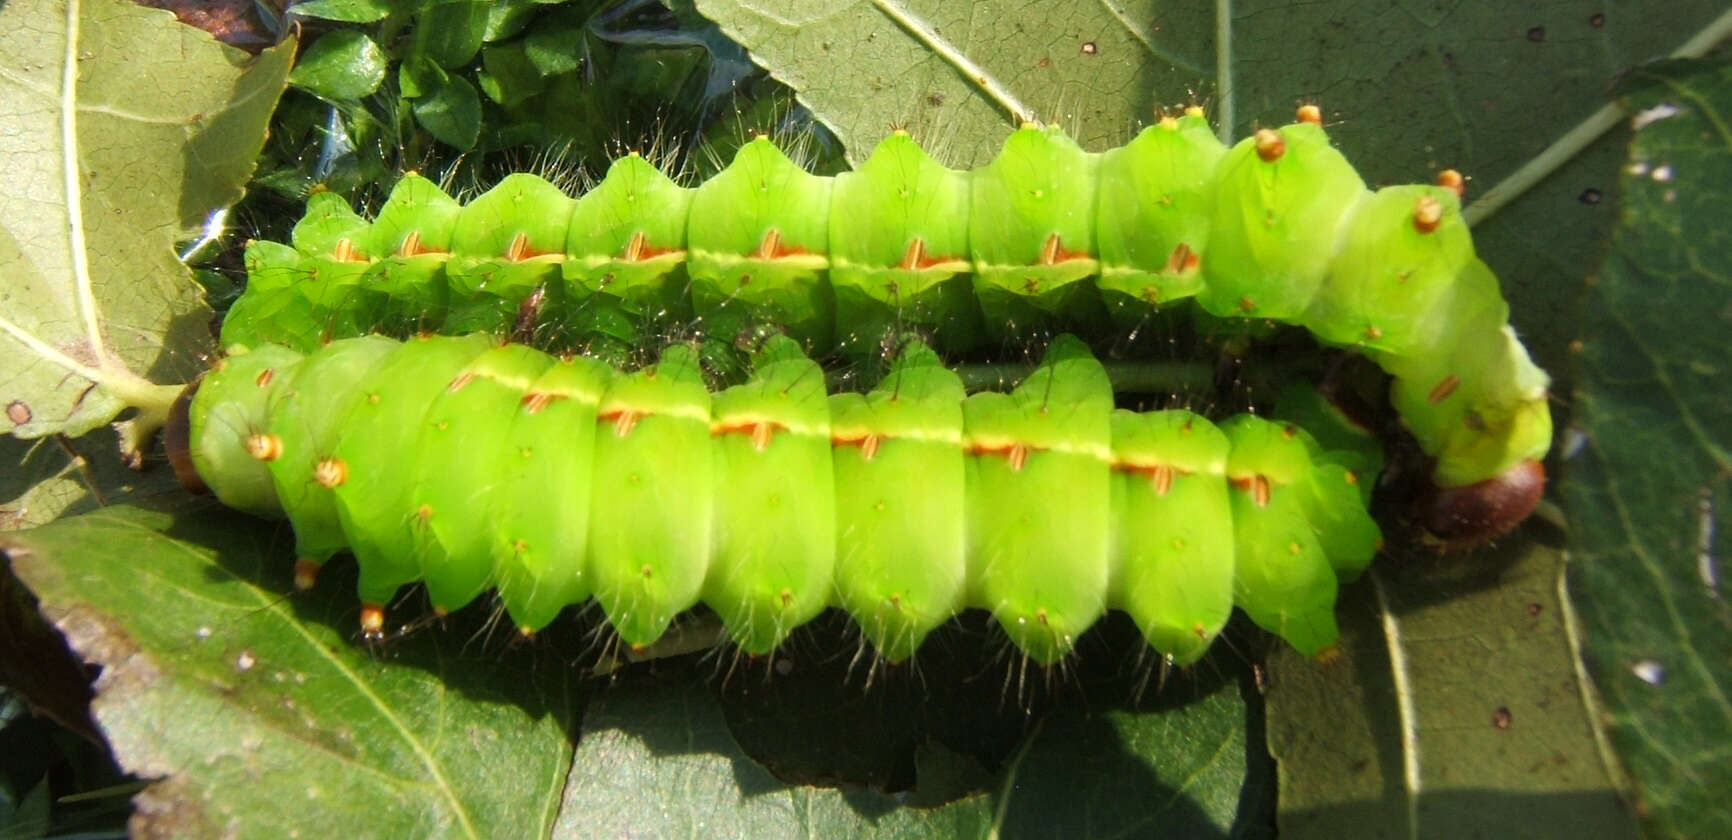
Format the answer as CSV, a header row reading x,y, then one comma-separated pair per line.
x,y
1047,238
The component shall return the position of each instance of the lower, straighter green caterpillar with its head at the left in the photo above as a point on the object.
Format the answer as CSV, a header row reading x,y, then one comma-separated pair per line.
x,y
472,465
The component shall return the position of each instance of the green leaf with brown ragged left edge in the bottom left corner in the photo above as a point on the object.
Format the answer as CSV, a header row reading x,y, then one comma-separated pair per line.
x,y
257,718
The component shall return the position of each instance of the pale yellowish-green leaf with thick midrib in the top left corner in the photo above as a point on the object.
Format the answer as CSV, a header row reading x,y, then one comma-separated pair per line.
x,y
124,131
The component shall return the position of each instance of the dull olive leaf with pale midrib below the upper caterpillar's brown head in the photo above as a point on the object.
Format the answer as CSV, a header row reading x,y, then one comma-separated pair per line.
x,y
1454,711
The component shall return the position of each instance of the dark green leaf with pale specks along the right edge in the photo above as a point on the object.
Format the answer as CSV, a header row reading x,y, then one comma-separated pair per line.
x,y
1651,484
